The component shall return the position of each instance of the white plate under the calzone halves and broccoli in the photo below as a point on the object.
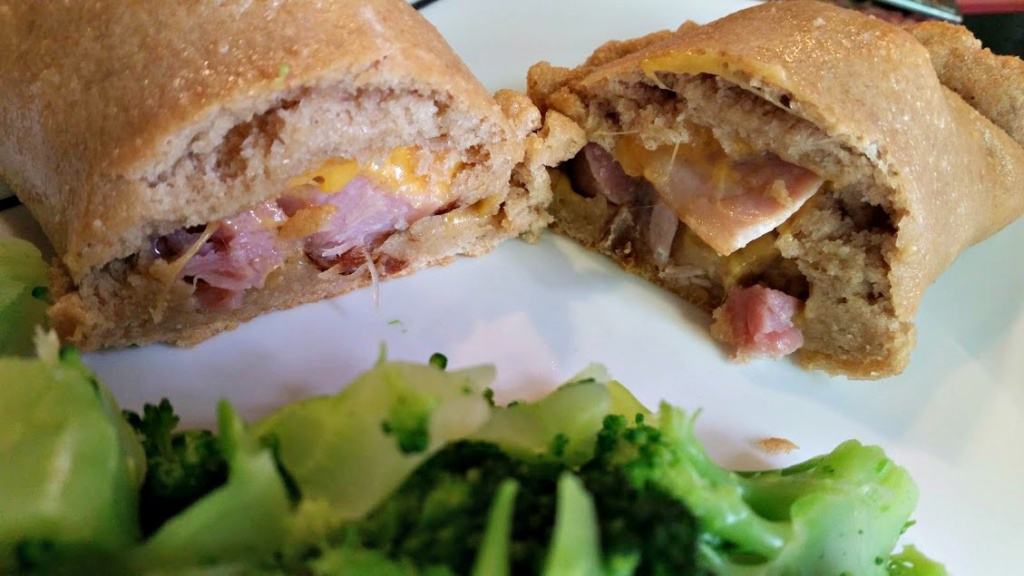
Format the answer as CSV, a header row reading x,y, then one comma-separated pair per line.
x,y
541,313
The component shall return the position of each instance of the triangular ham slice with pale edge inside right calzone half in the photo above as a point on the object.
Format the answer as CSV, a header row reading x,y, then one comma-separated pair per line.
x,y
730,203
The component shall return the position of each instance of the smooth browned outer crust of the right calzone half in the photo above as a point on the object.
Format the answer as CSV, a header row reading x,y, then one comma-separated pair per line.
x,y
871,90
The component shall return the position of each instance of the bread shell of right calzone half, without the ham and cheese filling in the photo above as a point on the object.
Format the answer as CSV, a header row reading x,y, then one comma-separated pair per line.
x,y
915,174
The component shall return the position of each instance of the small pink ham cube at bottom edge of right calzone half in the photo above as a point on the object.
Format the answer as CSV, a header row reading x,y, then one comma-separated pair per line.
x,y
759,321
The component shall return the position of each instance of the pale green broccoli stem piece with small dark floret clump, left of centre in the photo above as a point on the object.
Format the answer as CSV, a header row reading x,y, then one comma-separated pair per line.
x,y
354,449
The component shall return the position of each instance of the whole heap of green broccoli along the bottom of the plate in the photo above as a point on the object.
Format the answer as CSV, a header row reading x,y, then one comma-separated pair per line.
x,y
413,472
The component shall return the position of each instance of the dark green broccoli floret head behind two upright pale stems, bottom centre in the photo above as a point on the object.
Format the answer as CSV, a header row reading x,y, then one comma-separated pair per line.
x,y
438,518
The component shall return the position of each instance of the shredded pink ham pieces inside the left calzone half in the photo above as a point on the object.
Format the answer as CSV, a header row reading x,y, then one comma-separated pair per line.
x,y
338,232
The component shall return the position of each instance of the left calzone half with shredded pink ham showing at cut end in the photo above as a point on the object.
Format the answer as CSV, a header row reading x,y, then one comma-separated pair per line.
x,y
197,164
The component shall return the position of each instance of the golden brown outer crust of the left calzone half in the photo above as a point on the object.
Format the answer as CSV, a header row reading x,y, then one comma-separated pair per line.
x,y
101,101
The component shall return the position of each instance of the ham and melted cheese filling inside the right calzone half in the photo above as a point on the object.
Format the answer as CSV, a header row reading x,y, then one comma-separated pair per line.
x,y
708,220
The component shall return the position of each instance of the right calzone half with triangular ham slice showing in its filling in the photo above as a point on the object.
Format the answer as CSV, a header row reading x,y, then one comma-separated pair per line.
x,y
799,170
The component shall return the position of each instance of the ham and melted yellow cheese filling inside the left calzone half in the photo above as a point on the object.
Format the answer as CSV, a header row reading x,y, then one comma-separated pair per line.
x,y
334,217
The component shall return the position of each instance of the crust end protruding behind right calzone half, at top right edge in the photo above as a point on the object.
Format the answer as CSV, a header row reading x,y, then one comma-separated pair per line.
x,y
992,85
